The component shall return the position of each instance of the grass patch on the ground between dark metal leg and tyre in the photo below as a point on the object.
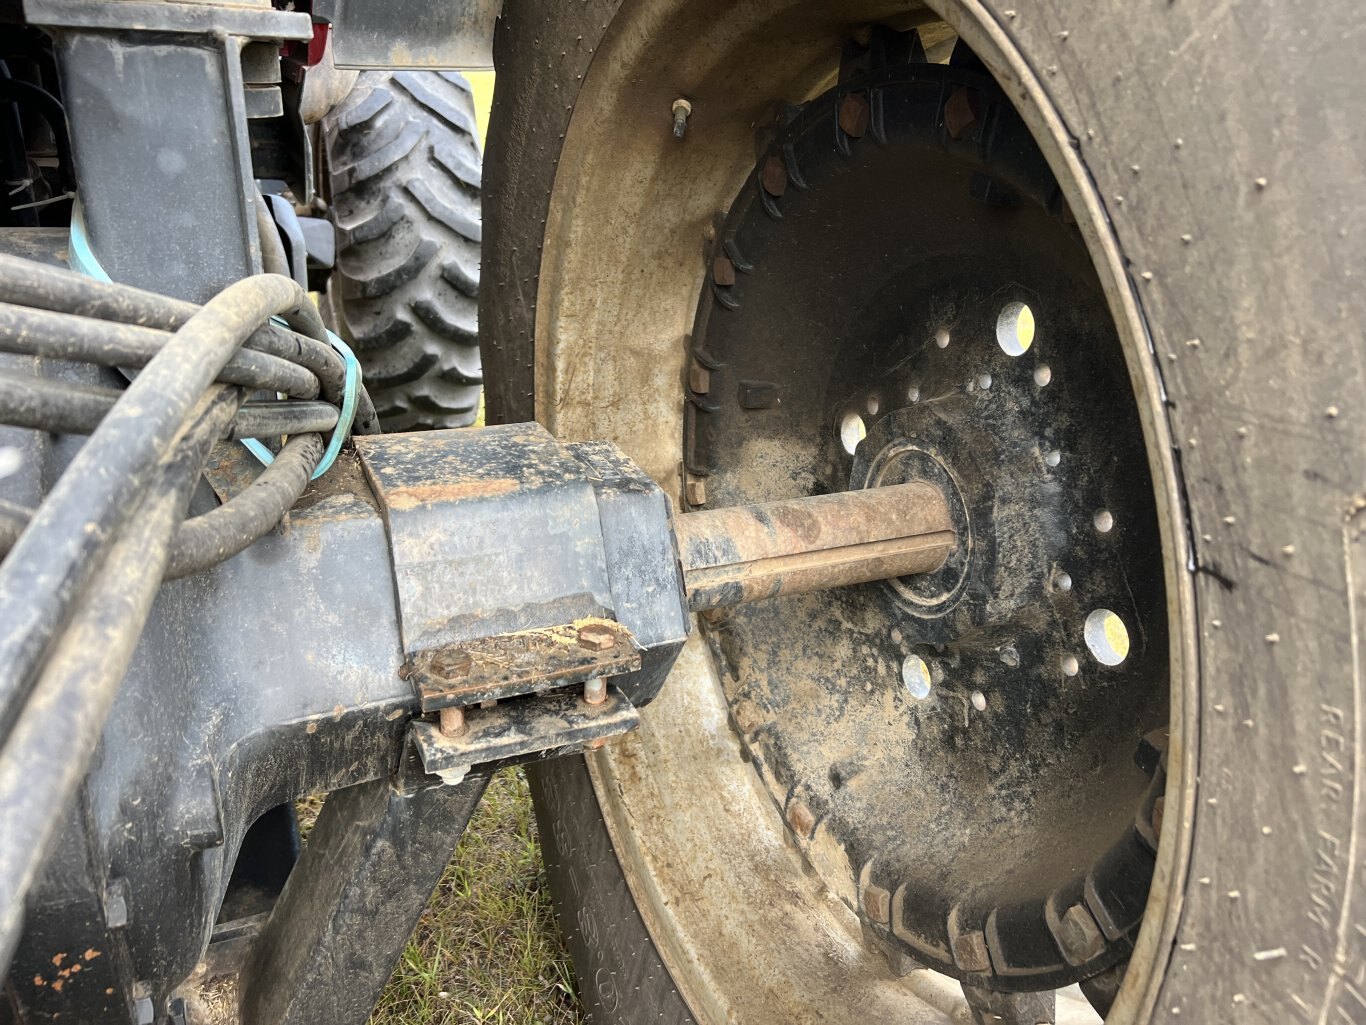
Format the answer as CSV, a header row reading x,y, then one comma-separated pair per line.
x,y
487,951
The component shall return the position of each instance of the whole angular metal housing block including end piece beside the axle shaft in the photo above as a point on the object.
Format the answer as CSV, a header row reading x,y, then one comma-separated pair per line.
x,y
502,531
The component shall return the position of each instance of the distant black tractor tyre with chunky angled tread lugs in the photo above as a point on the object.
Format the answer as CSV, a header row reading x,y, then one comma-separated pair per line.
x,y
404,162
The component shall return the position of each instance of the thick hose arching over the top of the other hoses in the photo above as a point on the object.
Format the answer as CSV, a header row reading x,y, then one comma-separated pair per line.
x,y
53,561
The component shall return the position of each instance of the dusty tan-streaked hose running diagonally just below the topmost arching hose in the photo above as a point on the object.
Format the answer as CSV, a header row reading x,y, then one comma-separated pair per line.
x,y
48,750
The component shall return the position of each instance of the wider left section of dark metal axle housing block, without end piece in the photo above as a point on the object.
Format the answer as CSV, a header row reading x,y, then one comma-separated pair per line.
x,y
492,531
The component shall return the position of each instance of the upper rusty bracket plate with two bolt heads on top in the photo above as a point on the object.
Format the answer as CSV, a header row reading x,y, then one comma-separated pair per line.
x,y
529,662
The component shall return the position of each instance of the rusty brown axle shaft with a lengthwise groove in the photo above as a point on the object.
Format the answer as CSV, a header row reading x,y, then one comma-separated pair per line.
x,y
752,553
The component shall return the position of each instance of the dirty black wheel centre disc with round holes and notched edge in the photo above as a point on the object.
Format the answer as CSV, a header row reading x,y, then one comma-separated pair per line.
x,y
949,750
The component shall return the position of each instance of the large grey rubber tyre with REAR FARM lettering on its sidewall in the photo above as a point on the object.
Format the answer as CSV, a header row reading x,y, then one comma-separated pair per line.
x,y
1227,148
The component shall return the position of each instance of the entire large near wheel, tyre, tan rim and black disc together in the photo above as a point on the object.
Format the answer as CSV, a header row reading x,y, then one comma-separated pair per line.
x,y
986,260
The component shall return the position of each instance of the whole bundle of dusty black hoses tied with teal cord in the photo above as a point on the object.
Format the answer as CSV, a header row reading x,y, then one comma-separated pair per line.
x,y
80,573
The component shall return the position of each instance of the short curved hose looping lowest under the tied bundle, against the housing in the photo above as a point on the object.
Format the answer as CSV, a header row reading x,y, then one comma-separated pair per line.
x,y
259,509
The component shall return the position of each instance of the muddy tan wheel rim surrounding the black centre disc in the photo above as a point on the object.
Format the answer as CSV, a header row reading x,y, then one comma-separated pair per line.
x,y
641,788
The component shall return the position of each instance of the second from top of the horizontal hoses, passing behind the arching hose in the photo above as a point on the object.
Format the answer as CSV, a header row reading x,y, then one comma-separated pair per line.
x,y
106,344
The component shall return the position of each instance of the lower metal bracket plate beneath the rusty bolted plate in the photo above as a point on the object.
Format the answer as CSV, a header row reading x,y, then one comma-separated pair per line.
x,y
525,730
